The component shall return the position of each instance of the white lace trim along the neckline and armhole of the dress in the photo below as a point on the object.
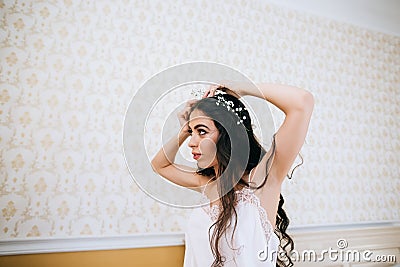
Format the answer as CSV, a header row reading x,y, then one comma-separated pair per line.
x,y
246,196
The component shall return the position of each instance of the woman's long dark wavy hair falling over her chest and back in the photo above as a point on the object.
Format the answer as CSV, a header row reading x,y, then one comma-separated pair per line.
x,y
225,121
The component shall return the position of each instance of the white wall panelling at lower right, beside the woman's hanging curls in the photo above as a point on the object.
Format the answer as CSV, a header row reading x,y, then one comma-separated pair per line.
x,y
351,245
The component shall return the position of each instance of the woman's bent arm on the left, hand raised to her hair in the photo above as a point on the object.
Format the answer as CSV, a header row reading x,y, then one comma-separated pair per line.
x,y
163,162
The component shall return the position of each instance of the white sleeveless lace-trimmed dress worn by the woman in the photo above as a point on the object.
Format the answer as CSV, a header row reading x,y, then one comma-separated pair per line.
x,y
254,241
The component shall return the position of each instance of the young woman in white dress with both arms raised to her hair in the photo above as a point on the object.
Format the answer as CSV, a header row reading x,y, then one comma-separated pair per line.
x,y
245,224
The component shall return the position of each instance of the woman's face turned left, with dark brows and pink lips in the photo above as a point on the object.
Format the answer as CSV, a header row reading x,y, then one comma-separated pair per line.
x,y
204,136
